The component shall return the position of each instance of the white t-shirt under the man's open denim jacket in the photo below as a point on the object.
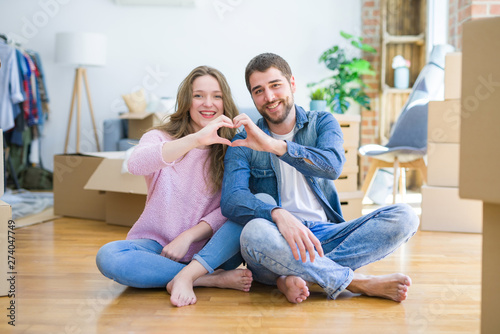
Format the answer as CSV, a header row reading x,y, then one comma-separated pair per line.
x,y
296,196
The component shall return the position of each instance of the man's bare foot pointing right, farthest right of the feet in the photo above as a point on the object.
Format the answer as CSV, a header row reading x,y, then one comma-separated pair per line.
x,y
393,286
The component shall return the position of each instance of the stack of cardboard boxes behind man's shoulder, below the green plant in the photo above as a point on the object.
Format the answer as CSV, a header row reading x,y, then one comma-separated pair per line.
x,y
347,184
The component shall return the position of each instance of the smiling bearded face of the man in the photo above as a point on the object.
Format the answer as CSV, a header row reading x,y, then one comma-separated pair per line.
x,y
272,94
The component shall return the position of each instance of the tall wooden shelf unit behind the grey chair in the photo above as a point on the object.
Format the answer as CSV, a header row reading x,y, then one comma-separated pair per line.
x,y
404,32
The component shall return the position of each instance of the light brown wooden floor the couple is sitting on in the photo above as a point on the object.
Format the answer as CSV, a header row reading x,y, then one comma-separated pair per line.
x,y
60,290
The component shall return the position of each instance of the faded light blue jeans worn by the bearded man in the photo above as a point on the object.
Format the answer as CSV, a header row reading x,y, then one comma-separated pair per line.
x,y
347,247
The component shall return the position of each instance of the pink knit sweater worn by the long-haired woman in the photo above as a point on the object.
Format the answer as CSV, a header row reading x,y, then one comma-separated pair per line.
x,y
178,196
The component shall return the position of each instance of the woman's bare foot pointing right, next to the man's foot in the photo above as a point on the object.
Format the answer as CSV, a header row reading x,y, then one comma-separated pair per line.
x,y
238,279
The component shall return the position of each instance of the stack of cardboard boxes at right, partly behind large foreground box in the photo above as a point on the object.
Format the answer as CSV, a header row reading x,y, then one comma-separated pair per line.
x,y
442,209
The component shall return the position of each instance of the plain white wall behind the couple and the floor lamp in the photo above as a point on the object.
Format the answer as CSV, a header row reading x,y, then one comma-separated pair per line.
x,y
157,47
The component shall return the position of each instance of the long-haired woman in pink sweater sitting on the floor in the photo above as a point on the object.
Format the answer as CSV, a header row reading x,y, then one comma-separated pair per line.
x,y
182,161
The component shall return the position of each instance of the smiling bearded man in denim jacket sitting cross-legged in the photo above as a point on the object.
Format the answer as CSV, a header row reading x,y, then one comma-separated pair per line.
x,y
295,235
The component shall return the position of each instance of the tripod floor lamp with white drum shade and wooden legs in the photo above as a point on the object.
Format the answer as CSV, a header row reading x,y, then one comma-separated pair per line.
x,y
82,50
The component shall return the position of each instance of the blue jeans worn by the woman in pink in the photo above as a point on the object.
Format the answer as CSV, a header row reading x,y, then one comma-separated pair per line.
x,y
138,263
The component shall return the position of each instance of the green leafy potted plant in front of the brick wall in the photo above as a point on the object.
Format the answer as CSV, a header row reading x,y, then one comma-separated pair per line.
x,y
346,80
